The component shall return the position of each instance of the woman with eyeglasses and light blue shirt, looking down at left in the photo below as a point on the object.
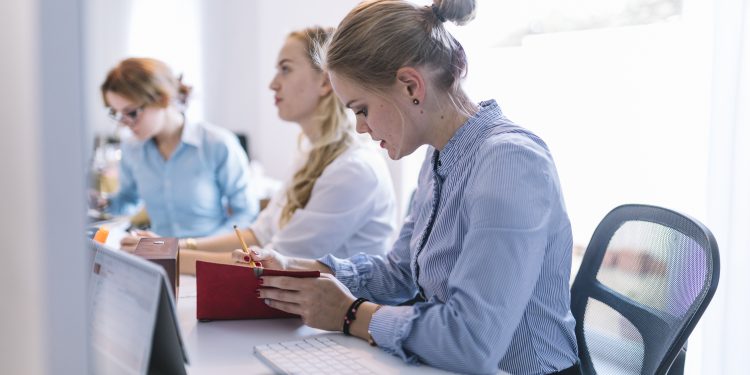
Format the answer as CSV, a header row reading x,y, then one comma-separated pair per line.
x,y
192,176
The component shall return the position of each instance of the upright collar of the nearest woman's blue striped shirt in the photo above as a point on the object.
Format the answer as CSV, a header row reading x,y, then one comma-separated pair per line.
x,y
466,135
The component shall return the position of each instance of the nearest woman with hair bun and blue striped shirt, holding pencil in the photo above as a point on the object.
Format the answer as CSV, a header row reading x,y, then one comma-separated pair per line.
x,y
478,279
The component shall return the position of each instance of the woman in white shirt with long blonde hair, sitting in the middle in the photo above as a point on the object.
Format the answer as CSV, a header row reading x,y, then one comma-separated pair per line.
x,y
340,199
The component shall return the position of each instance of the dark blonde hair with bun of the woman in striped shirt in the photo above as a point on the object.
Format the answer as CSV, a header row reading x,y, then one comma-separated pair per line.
x,y
379,37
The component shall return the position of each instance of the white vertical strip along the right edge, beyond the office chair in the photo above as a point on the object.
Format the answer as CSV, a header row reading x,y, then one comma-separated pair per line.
x,y
726,324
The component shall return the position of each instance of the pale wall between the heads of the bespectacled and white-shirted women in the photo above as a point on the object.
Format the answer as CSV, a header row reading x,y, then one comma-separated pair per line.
x,y
242,40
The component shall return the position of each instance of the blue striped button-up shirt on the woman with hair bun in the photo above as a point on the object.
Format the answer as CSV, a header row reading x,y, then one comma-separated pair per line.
x,y
488,244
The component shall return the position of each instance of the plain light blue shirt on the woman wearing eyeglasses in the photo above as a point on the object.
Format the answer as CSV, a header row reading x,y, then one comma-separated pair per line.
x,y
202,189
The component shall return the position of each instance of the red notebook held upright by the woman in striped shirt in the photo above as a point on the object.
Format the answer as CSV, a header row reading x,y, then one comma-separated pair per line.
x,y
228,291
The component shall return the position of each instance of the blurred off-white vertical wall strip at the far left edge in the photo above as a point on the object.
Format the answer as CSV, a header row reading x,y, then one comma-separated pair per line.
x,y
19,192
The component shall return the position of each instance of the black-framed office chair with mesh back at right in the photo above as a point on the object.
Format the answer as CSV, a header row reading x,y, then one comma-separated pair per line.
x,y
645,280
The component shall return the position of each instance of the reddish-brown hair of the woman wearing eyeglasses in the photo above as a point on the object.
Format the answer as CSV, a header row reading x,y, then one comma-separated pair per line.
x,y
147,82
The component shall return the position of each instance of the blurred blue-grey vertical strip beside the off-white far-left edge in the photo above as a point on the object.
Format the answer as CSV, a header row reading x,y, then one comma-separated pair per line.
x,y
62,132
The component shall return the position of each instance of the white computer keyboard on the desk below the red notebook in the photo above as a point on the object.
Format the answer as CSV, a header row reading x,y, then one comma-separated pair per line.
x,y
317,355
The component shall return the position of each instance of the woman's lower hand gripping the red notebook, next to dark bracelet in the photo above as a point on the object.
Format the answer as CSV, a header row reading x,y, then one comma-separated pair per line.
x,y
321,302
